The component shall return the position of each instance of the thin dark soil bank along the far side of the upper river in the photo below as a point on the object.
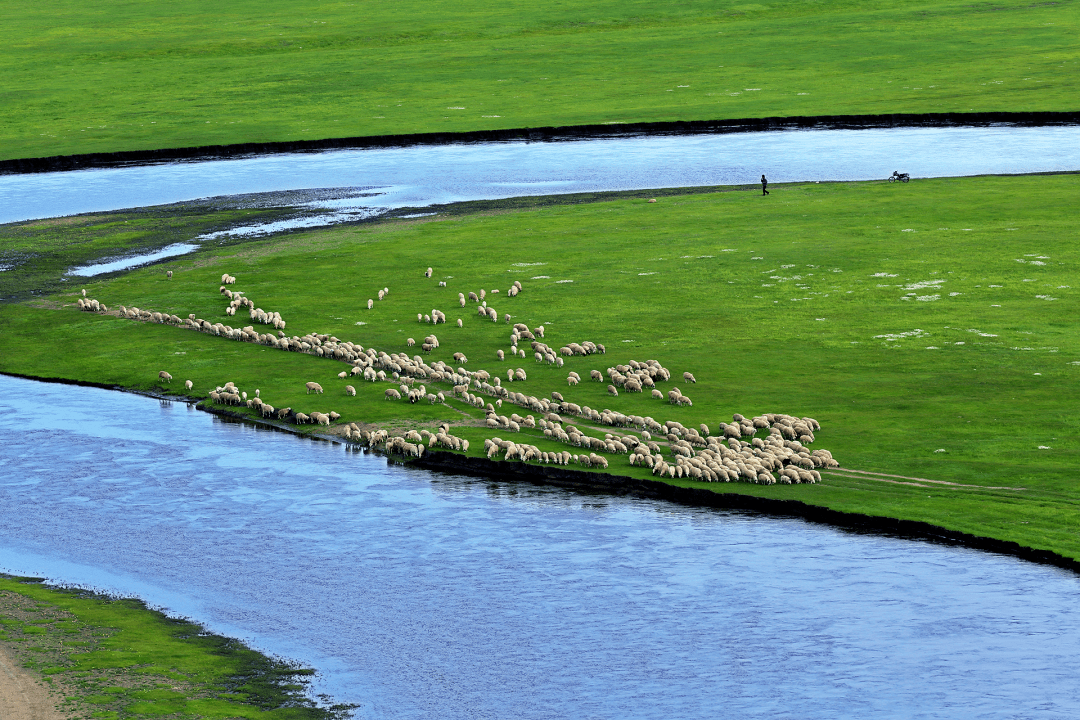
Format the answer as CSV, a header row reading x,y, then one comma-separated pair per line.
x,y
541,134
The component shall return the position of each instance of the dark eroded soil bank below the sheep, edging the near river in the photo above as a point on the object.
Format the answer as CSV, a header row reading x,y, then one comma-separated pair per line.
x,y
450,463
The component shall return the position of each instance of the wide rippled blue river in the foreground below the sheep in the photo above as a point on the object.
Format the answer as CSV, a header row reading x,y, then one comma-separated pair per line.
x,y
423,595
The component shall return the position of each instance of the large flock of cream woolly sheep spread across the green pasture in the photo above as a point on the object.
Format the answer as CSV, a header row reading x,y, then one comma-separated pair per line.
x,y
735,454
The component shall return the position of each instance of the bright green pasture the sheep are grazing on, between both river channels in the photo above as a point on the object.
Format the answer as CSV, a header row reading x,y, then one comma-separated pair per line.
x,y
929,328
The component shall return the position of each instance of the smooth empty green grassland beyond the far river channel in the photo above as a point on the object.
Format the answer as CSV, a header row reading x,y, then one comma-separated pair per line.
x,y
118,76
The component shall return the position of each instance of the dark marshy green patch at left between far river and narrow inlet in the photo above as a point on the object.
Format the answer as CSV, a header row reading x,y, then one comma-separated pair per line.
x,y
37,255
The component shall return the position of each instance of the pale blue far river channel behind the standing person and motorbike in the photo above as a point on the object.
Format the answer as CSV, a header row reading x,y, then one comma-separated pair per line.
x,y
425,175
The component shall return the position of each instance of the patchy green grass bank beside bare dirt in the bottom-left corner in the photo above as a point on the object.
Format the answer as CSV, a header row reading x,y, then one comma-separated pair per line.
x,y
113,658
